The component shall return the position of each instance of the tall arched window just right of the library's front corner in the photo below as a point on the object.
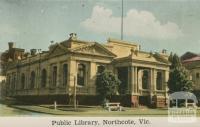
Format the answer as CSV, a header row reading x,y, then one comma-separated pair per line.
x,y
81,74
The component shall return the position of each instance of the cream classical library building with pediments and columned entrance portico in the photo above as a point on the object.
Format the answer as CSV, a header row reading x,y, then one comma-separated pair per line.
x,y
53,74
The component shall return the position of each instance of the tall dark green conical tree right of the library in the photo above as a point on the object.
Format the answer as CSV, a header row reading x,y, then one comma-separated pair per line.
x,y
178,76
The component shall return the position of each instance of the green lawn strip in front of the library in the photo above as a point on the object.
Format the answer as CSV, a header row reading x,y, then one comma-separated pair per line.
x,y
94,111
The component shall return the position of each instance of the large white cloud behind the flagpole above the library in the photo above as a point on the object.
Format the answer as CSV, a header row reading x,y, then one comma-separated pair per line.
x,y
136,23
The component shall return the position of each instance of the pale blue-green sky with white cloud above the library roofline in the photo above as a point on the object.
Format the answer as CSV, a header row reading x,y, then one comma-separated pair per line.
x,y
173,25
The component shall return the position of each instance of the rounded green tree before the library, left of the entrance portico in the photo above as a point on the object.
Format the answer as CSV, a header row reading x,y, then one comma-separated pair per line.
x,y
107,84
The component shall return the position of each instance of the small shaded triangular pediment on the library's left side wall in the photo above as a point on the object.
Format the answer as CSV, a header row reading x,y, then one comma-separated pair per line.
x,y
57,50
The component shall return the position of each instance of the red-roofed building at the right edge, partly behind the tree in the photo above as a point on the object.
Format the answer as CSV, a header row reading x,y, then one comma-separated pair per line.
x,y
192,62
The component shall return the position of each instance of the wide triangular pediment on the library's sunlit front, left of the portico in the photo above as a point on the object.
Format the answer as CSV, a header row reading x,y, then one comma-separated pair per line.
x,y
94,49
